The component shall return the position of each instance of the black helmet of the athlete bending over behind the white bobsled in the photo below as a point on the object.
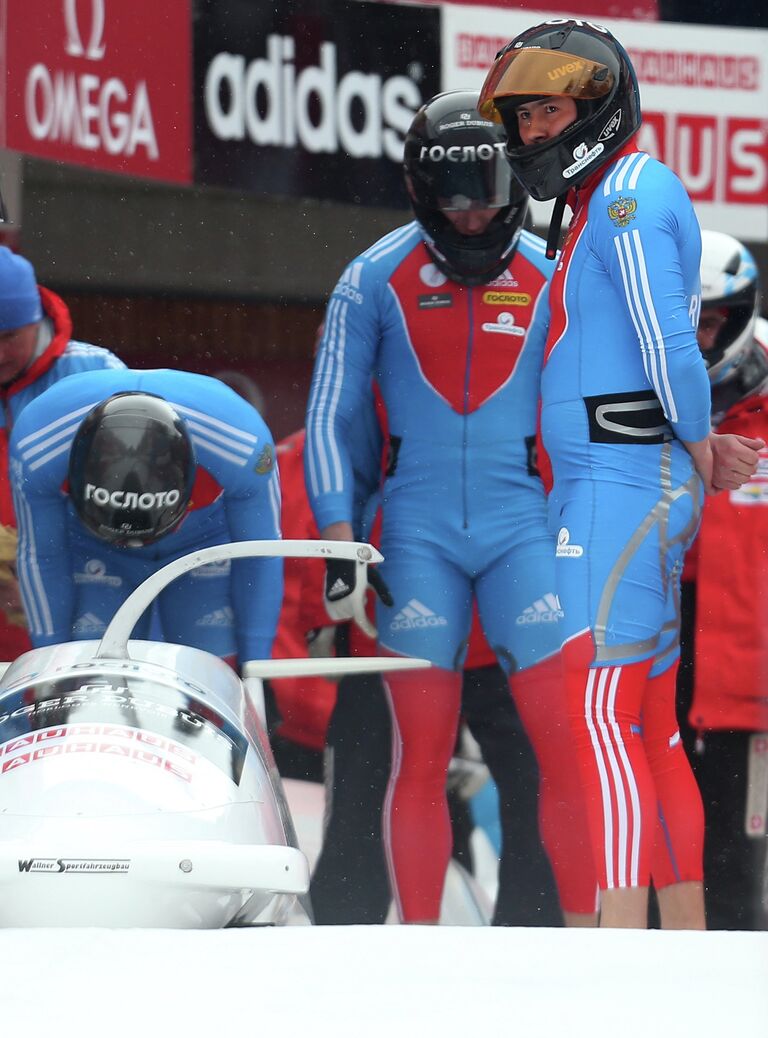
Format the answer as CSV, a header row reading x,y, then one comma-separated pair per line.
x,y
131,470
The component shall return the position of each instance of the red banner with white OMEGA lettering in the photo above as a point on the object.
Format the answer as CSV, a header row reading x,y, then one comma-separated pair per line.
x,y
101,84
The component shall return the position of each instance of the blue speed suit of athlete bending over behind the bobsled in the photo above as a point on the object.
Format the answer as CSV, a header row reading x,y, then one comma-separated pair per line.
x,y
73,583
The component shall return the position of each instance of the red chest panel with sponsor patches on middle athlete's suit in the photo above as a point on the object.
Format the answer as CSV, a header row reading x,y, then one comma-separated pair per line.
x,y
468,342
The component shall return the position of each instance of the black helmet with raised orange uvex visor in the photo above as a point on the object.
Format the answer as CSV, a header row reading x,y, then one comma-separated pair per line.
x,y
564,59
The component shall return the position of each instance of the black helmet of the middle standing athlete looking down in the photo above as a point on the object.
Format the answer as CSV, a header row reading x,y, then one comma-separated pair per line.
x,y
454,162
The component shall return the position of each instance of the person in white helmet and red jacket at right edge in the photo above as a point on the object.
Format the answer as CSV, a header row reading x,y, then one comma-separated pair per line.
x,y
726,606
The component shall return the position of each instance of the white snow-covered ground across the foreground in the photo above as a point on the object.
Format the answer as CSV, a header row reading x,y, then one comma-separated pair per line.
x,y
390,980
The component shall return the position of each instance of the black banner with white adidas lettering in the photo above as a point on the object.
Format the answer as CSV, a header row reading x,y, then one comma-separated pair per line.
x,y
311,98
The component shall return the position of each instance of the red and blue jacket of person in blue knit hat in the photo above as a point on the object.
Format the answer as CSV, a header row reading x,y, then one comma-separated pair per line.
x,y
57,356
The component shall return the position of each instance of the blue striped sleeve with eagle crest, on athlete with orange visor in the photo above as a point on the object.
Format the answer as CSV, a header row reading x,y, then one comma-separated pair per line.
x,y
652,255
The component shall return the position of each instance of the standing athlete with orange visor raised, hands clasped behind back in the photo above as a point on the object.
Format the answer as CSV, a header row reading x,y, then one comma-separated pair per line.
x,y
626,424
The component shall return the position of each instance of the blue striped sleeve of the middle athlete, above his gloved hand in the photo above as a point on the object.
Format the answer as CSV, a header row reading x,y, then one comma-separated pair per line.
x,y
341,386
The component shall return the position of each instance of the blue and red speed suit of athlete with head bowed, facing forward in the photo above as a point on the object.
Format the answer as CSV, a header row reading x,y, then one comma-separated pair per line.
x,y
464,517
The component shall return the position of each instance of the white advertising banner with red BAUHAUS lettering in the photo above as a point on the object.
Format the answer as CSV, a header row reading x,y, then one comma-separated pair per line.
x,y
705,101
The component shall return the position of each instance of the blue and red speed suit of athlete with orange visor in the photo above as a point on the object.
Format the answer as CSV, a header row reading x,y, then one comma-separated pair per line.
x,y
623,385
